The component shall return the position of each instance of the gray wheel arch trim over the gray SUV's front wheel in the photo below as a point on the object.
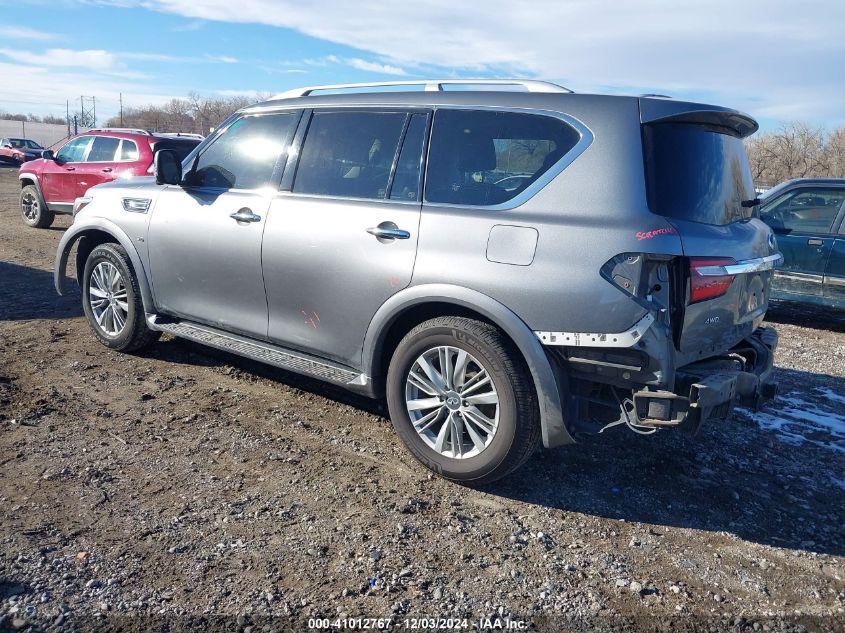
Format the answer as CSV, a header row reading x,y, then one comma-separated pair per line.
x,y
88,236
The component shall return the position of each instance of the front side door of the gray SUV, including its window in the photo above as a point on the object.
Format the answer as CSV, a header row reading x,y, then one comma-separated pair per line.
x,y
205,236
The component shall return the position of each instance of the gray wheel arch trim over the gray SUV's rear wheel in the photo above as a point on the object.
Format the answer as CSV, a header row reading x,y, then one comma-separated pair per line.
x,y
406,309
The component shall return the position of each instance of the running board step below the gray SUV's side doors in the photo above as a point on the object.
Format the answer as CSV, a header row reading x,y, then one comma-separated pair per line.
x,y
296,362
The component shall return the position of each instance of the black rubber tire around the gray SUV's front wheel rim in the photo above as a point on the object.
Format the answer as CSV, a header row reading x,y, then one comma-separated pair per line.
x,y
134,335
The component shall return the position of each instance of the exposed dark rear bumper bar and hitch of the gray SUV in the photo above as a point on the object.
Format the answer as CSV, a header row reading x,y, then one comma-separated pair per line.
x,y
709,389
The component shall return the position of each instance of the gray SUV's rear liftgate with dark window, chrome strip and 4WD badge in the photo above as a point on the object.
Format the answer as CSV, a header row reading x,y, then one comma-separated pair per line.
x,y
698,178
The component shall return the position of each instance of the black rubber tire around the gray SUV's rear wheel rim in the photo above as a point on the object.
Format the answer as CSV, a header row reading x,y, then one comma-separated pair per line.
x,y
517,435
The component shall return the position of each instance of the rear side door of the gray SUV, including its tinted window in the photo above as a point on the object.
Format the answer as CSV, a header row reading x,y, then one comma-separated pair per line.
x,y
343,240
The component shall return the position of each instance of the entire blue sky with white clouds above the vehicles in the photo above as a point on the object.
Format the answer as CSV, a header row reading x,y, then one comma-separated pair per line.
x,y
777,60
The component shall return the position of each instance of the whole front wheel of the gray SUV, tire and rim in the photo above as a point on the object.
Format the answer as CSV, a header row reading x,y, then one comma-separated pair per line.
x,y
111,300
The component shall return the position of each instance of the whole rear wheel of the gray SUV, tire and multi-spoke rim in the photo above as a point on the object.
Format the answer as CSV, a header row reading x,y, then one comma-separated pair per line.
x,y
461,398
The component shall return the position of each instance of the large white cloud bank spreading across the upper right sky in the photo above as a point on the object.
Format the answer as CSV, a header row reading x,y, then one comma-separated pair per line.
x,y
760,55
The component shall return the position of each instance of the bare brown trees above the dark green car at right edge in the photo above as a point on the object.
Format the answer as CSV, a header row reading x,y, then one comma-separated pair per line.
x,y
796,150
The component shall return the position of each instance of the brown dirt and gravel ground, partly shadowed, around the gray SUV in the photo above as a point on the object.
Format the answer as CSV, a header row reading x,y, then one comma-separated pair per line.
x,y
186,488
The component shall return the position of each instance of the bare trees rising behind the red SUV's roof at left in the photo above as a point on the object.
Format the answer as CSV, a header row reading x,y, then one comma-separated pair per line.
x,y
196,113
